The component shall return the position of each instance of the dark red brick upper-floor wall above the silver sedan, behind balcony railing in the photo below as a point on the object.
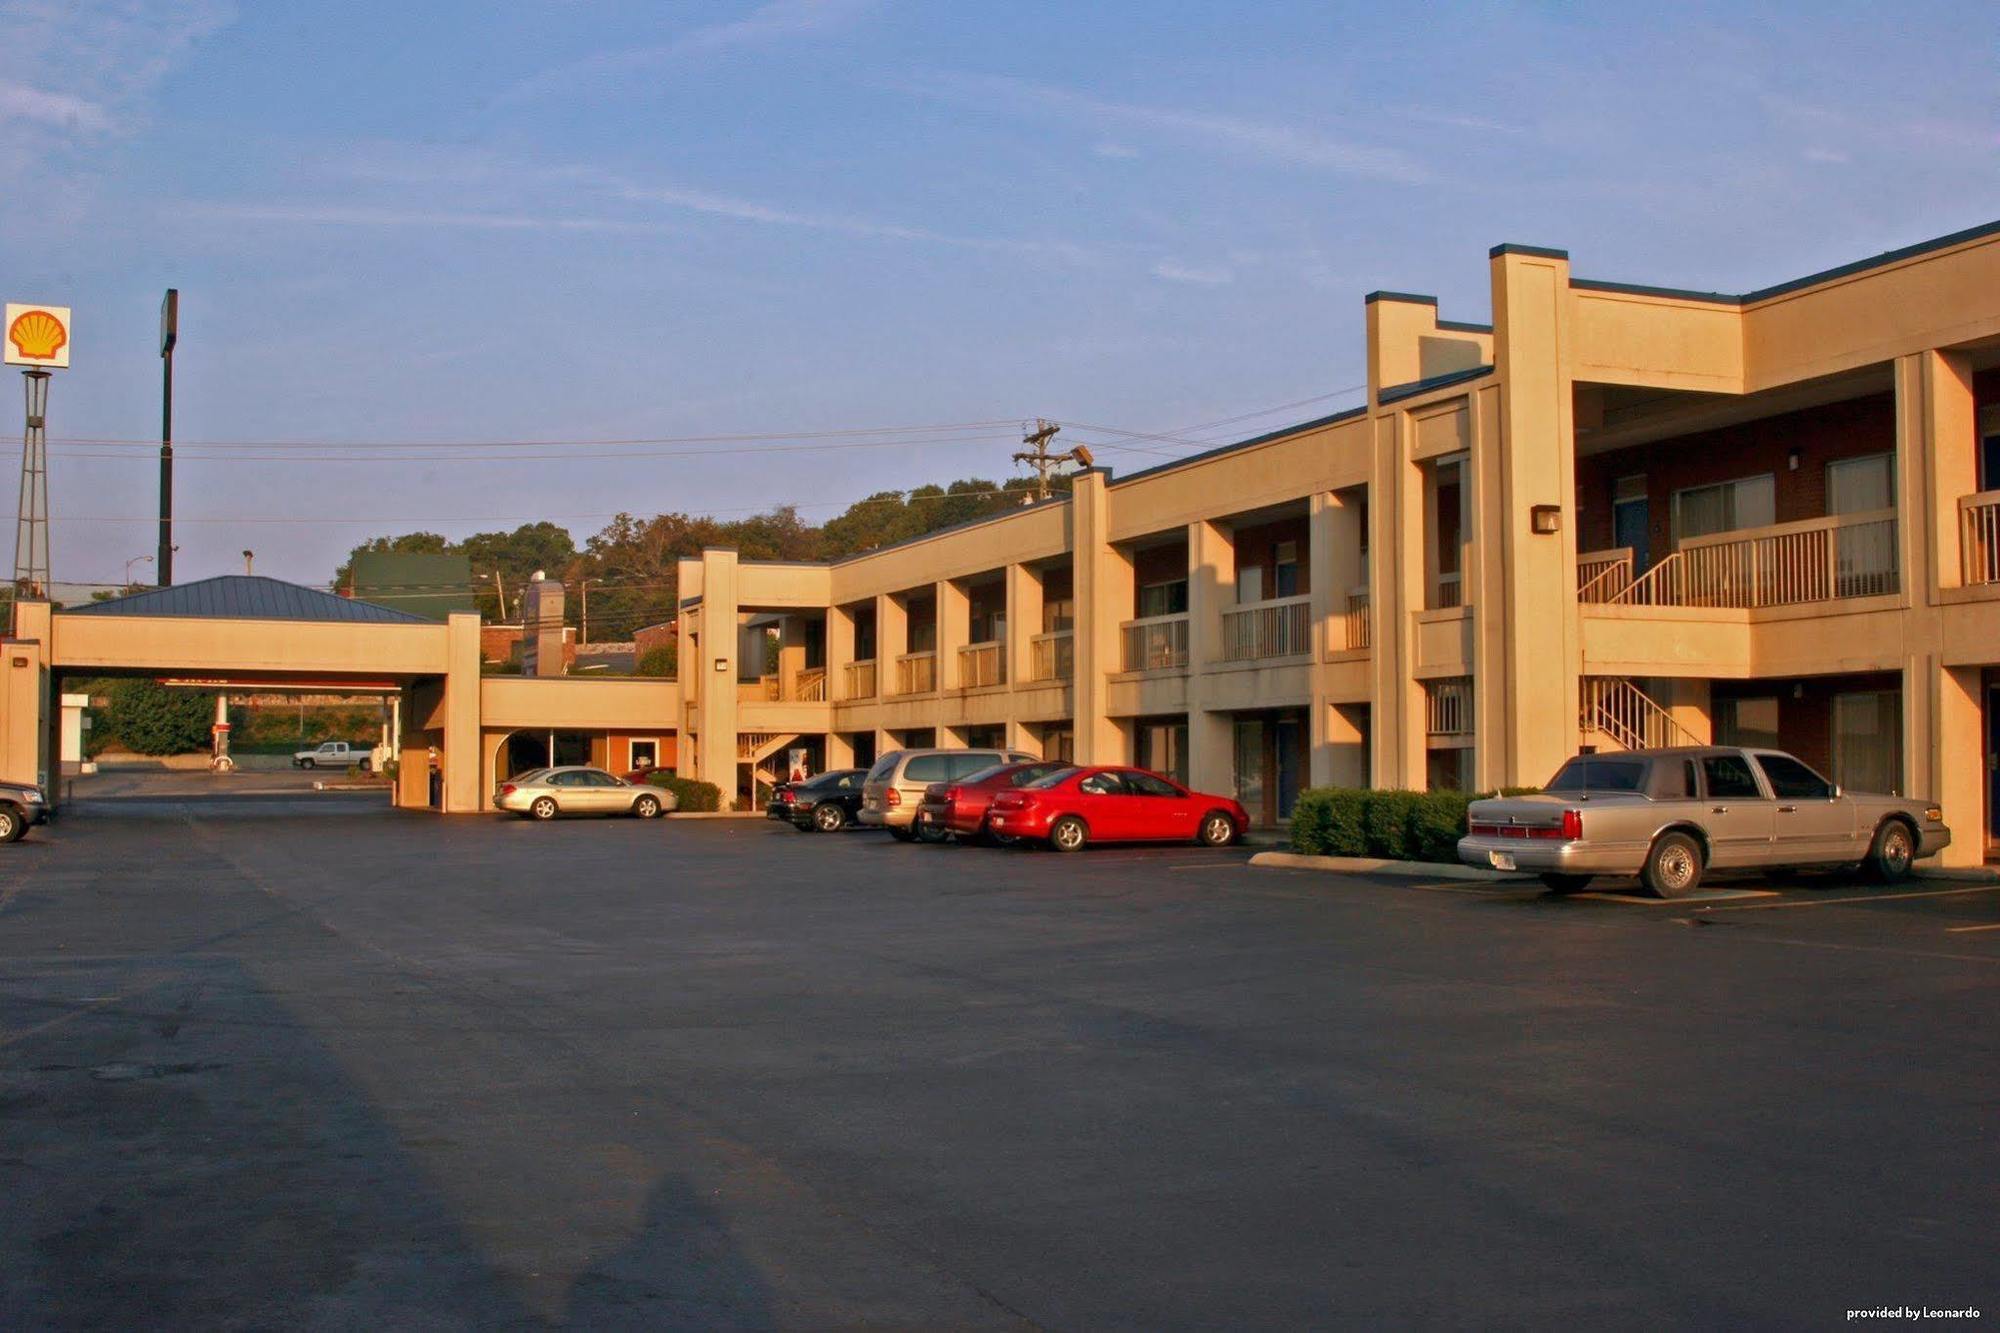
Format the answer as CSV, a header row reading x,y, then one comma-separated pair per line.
x,y
1821,435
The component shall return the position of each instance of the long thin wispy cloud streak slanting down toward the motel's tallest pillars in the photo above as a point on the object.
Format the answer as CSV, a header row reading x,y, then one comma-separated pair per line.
x,y
1245,137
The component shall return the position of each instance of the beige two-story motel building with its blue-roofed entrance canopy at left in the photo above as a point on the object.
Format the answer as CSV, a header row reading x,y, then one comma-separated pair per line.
x,y
1615,517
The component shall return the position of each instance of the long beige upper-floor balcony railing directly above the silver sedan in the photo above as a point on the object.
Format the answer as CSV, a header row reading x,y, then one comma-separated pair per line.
x,y
1785,565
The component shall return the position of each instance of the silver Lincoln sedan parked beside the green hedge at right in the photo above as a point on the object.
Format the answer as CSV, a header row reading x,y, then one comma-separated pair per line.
x,y
1675,816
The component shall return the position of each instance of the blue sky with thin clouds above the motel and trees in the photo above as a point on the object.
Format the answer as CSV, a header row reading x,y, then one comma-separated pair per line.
x,y
657,221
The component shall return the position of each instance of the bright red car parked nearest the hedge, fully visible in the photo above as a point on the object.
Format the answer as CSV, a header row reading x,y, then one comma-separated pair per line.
x,y
1113,806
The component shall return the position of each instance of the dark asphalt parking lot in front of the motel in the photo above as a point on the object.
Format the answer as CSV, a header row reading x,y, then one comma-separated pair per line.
x,y
301,1060
